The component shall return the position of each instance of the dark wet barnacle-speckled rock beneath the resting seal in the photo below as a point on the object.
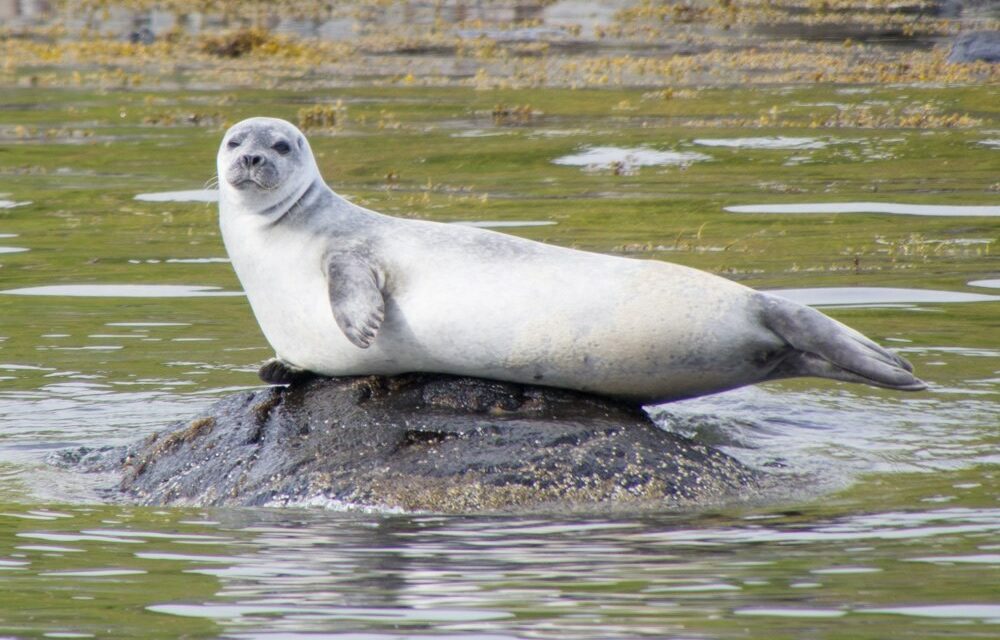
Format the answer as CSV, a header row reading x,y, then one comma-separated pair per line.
x,y
420,442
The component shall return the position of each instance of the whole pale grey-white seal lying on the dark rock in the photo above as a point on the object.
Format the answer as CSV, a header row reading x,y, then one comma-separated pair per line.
x,y
340,290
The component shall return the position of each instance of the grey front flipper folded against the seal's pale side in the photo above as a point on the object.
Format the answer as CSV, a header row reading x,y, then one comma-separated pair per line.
x,y
355,287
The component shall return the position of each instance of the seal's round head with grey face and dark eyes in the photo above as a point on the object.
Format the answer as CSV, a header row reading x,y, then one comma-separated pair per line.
x,y
263,162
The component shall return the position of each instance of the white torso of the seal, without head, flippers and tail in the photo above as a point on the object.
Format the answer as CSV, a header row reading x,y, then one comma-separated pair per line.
x,y
546,315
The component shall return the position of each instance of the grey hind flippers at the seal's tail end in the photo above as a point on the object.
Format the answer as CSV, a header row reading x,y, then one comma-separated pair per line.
x,y
823,347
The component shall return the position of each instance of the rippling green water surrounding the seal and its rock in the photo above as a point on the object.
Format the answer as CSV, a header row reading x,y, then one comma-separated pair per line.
x,y
896,535
